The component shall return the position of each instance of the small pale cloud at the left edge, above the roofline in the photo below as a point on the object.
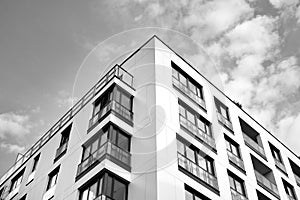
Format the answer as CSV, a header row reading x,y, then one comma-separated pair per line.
x,y
13,124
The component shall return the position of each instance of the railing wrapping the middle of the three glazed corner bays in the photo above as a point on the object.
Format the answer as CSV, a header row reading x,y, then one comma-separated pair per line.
x,y
108,150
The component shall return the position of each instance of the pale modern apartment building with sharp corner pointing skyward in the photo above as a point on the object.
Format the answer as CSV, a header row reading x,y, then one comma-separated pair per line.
x,y
170,134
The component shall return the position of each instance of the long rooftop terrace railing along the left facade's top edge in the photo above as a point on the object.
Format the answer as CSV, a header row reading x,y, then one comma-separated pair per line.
x,y
116,71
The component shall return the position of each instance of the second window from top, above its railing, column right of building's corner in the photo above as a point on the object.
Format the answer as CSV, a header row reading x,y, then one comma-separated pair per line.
x,y
197,120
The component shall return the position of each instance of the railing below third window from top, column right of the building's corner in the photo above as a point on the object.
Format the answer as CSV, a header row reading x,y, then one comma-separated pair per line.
x,y
197,171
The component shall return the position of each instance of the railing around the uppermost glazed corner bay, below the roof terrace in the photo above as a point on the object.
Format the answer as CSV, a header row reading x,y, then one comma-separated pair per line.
x,y
116,108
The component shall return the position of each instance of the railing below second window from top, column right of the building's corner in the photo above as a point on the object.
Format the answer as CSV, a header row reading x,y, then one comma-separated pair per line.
x,y
197,132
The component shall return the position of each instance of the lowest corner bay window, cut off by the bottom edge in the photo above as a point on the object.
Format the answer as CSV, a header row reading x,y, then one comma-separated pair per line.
x,y
106,185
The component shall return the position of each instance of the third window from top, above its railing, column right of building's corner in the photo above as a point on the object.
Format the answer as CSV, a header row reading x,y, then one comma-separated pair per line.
x,y
196,156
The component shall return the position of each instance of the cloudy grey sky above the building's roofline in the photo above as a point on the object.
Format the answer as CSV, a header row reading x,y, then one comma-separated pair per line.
x,y
255,46
